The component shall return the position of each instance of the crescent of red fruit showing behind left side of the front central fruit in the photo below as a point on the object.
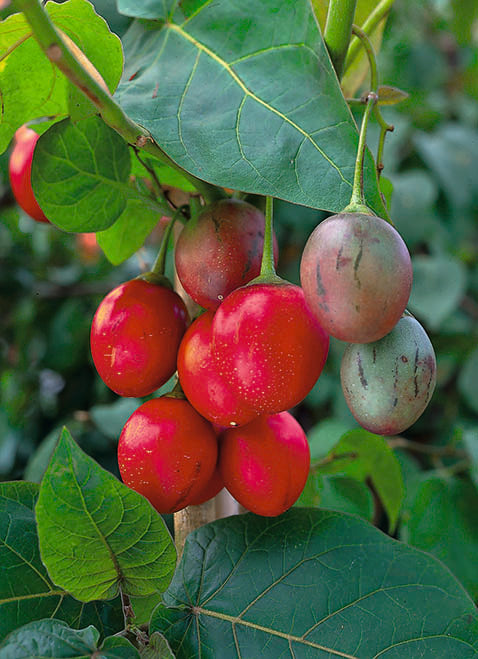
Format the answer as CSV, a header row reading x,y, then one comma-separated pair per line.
x,y
207,391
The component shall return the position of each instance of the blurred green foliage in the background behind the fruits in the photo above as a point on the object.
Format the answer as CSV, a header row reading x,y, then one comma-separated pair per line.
x,y
421,487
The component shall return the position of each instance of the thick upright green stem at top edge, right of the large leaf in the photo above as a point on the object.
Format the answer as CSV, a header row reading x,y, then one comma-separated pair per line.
x,y
338,30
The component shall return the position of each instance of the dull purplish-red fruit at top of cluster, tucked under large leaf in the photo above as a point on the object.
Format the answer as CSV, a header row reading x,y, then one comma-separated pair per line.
x,y
221,251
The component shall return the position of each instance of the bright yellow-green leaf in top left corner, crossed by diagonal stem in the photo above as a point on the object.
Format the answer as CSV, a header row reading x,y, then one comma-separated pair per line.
x,y
30,85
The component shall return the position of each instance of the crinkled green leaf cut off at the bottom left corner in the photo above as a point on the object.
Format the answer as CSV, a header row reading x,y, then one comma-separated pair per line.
x,y
49,638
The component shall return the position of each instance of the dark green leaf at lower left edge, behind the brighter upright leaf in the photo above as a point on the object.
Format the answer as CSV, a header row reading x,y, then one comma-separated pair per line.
x,y
26,592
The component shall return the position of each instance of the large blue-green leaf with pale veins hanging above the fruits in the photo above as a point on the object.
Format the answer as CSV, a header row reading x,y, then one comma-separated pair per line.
x,y
252,105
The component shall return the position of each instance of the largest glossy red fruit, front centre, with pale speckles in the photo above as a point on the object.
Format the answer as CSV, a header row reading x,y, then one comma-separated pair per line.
x,y
268,345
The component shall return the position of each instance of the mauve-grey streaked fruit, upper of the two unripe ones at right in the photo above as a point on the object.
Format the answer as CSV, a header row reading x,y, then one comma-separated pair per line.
x,y
356,274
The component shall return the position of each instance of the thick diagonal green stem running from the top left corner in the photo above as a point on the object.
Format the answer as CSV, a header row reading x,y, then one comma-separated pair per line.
x,y
57,52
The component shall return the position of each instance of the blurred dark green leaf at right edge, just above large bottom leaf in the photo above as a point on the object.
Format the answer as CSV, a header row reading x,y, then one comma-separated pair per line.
x,y
442,520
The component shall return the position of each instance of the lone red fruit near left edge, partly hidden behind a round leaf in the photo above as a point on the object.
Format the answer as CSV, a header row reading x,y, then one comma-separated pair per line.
x,y
20,170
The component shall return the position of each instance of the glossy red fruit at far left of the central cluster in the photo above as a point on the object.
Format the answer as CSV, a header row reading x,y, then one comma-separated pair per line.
x,y
135,337
